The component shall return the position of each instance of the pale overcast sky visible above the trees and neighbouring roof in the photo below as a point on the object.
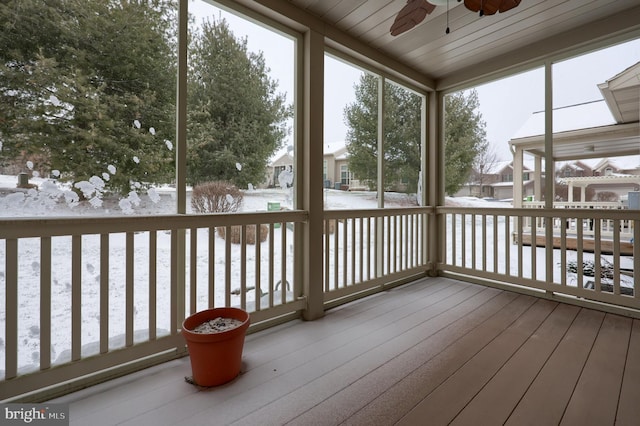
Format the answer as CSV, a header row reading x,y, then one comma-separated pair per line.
x,y
505,105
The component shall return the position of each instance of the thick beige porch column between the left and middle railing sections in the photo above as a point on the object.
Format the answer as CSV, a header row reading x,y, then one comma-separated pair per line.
x,y
310,185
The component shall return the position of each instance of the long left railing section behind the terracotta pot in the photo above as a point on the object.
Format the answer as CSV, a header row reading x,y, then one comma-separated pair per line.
x,y
84,295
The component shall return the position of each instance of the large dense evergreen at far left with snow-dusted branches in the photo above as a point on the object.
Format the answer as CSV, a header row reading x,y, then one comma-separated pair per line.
x,y
88,88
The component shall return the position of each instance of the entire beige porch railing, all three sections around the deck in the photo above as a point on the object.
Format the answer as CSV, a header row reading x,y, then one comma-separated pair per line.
x,y
85,296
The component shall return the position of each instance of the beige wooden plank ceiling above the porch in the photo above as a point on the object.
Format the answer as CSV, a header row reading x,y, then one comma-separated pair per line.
x,y
476,45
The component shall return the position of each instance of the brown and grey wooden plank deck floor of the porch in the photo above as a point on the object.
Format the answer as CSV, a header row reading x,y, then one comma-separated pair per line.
x,y
433,352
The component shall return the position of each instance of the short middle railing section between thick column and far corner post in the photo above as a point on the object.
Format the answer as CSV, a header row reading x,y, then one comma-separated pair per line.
x,y
367,249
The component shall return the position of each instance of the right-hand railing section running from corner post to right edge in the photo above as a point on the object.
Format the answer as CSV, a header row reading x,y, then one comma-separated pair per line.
x,y
492,246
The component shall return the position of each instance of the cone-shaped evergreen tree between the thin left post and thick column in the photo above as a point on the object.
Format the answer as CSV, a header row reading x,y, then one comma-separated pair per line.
x,y
236,119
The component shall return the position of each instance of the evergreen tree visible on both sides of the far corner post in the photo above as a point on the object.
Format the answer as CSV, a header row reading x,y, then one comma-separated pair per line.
x,y
464,129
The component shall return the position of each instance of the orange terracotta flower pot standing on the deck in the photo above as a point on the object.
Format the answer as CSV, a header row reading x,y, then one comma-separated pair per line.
x,y
216,358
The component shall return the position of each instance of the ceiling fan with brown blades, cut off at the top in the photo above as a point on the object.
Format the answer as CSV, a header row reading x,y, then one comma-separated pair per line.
x,y
415,11
